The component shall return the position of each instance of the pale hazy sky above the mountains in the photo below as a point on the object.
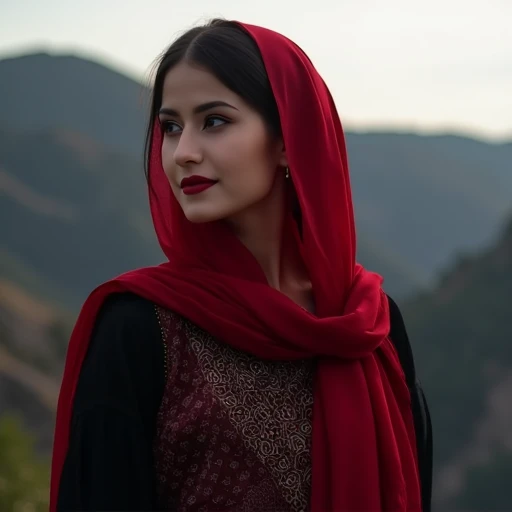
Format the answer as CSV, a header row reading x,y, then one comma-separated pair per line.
x,y
423,65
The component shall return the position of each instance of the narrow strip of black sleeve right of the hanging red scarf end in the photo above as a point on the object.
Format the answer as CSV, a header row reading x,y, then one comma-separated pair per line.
x,y
421,413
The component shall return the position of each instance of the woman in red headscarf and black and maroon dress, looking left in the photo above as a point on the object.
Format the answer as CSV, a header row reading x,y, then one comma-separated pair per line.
x,y
254,370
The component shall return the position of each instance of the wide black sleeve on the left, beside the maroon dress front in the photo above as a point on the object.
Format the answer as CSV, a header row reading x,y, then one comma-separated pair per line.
x,y
109,462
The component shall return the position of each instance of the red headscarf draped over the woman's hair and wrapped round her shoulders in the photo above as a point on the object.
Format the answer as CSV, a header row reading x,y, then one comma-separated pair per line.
x,y
363,446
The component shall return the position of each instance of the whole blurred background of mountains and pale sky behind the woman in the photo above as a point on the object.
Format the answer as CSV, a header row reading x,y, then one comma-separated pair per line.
x,y
424,92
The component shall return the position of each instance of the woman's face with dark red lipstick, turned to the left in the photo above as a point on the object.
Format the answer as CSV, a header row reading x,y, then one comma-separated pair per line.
x,y
217,151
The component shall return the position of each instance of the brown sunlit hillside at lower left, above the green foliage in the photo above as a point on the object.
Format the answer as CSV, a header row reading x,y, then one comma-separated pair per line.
x,y
33,341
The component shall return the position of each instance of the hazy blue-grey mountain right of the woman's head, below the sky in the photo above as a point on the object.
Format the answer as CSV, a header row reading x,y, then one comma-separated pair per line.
x,y
429,197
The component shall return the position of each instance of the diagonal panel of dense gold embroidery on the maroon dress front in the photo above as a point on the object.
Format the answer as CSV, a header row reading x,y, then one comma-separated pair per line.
x,y
270,405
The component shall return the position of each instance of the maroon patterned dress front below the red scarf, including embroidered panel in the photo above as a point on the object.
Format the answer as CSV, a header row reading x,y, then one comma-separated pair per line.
x,y
233,431
